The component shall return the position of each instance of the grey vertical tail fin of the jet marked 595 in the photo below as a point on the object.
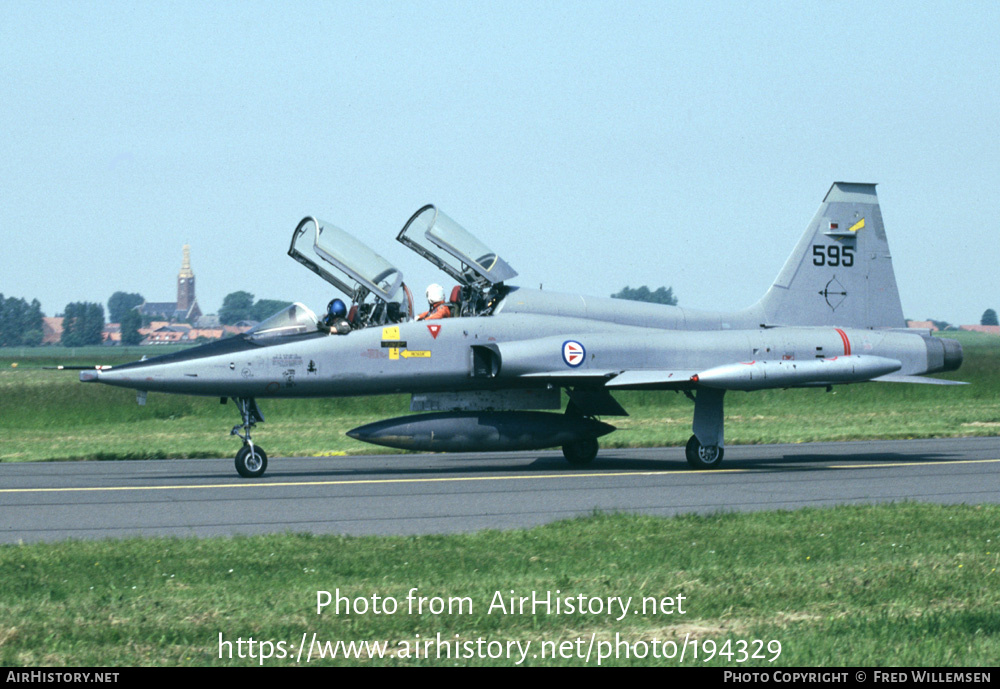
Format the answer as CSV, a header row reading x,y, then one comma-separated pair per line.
x,y
840,273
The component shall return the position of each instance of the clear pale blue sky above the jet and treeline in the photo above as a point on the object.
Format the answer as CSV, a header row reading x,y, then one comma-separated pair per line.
x,y
594,145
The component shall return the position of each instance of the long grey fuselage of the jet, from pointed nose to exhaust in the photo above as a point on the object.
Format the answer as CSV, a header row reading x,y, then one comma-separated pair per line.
x,y
440,355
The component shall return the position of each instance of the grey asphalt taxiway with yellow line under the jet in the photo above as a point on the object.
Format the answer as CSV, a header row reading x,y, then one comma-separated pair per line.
x,y
411,494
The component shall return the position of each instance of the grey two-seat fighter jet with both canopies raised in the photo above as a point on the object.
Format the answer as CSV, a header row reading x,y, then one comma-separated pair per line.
x,y
479,378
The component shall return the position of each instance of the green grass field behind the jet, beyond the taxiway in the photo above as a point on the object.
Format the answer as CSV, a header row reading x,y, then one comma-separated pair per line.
x,y
48,415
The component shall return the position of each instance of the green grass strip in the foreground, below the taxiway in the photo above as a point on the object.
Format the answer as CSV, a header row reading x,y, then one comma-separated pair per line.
x,y
891,585
